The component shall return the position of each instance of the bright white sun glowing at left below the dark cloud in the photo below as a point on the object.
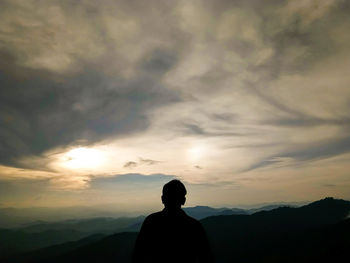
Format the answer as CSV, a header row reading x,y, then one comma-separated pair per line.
x,y
83,158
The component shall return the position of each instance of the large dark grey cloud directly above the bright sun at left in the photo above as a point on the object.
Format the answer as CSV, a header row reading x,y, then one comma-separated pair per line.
x,y
41,109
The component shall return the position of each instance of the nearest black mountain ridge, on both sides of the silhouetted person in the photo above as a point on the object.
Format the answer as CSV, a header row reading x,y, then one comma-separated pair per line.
x,y
318,232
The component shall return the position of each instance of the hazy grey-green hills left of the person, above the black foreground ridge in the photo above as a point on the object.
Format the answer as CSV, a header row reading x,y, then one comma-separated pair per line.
x,y
43,234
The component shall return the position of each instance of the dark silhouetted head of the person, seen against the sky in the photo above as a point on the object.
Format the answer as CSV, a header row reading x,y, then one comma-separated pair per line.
x,y
174,194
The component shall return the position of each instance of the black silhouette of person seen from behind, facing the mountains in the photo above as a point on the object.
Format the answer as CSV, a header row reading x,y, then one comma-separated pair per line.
x,y
170,235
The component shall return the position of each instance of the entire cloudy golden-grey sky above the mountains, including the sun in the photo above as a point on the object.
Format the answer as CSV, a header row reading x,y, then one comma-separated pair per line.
x,y
102,102
